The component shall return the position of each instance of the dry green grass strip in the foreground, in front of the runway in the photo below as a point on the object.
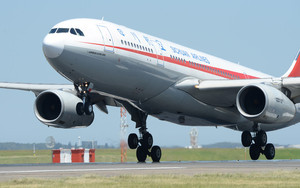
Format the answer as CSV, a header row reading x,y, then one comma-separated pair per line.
x,y
258,180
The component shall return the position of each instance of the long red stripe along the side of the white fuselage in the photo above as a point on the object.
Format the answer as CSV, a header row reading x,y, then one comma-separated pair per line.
x,y
201,67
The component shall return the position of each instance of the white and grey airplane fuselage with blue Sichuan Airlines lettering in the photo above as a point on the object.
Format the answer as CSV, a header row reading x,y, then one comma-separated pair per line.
x,y
144,69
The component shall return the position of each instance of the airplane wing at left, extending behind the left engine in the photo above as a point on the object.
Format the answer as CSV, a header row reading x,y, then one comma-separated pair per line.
x,y
100,99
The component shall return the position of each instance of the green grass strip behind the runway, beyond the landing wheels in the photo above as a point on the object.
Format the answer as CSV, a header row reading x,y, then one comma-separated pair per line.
x,y
113,155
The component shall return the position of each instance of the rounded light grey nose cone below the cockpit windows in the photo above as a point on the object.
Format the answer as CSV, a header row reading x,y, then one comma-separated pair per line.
x,y
53,46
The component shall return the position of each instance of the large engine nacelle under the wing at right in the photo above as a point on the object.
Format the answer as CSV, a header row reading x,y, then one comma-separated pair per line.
x,y
265,104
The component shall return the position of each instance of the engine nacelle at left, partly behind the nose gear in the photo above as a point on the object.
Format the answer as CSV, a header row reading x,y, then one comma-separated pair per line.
x,y
58,109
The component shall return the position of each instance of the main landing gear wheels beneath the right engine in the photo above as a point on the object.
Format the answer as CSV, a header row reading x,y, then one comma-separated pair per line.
x,y
259,146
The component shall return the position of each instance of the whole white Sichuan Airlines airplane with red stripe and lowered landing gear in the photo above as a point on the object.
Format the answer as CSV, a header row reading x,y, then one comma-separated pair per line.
x,y
112,65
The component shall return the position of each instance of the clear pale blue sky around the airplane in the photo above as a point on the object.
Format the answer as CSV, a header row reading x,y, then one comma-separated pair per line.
x,y
262,35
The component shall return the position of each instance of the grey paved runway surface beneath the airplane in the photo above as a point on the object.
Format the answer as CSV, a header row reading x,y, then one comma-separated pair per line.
x,y
8,172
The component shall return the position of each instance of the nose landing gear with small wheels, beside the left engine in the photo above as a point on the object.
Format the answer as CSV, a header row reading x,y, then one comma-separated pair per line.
x,y
83,91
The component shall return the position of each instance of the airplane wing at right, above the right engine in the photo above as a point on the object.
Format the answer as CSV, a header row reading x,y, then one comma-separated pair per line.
x,y
222,93
